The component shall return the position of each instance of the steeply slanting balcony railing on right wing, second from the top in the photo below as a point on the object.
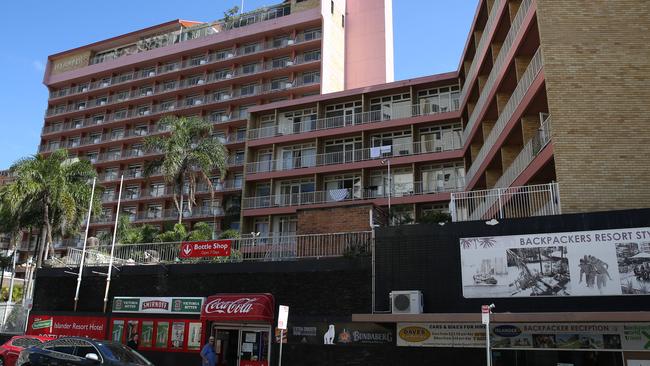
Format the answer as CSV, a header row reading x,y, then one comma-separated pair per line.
x,y
498,66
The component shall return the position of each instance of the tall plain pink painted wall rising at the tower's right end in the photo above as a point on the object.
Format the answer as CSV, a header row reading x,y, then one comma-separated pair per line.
x,y
368,43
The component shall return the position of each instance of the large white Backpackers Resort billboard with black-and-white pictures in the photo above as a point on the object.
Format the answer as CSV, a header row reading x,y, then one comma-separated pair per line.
x,y
581,263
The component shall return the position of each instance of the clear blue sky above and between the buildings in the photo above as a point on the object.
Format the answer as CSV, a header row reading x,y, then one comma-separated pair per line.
x,y
429,37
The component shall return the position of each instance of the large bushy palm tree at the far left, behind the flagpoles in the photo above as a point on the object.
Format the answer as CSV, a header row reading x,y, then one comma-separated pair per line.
x,y
58,187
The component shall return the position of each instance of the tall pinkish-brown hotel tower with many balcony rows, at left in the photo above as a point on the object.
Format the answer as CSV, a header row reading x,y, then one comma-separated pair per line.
x,y
107,96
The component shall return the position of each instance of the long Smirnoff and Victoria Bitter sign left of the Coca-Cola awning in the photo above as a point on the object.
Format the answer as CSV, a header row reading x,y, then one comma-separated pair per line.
x,y
158,305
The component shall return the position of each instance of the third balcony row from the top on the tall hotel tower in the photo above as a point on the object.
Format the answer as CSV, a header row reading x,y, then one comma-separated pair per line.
x,y
187,103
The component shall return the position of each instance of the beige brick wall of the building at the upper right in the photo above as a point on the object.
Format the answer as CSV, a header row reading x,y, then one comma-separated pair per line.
x,y
597,69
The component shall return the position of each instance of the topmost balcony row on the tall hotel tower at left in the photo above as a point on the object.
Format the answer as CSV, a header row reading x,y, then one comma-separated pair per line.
x,y
212,58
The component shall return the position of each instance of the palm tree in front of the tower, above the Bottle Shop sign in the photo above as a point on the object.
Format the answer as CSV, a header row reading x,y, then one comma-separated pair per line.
x,y
190,155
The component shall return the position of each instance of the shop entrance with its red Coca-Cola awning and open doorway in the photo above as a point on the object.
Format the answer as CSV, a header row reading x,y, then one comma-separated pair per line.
x,y
241,325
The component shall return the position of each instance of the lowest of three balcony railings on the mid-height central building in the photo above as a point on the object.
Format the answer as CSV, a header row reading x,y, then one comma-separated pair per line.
x,y
350,194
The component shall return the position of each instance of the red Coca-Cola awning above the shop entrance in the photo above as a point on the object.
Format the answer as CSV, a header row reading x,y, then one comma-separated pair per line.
x,y
239,308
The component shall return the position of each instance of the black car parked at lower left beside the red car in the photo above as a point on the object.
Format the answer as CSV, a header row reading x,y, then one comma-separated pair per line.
x,y
73,351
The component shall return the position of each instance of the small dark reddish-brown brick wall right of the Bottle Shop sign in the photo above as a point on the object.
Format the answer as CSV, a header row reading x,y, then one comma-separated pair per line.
x,y
334,220
